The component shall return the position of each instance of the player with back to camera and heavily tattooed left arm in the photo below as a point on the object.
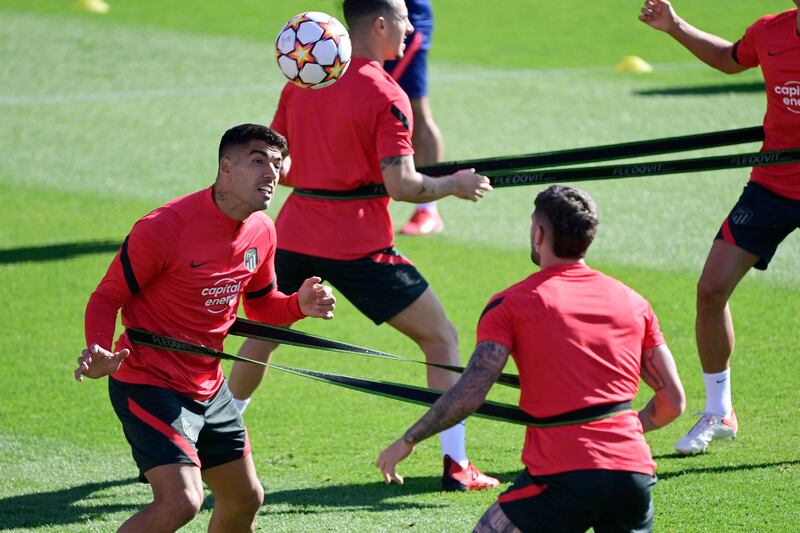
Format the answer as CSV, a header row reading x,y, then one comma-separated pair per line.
x,y
581,340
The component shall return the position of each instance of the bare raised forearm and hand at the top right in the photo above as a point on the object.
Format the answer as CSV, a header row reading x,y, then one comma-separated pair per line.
x,y
708,48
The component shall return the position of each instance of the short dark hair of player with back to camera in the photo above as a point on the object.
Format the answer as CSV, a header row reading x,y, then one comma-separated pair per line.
x,y
573,216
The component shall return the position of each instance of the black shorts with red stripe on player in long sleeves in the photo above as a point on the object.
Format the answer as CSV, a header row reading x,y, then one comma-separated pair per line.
x,y
165,427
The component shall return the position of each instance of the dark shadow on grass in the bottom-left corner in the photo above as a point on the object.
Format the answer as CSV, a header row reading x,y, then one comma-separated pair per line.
x,y
60,507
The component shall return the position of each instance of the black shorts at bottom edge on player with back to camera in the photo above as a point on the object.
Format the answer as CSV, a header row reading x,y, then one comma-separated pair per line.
x,y
606,500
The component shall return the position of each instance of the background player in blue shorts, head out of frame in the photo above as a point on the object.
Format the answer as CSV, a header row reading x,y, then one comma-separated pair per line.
x,y
411,72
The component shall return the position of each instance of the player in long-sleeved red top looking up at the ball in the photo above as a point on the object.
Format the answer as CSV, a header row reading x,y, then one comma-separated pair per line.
x,y
181,272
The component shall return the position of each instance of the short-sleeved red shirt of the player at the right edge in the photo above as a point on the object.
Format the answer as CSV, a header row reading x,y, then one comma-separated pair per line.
x,y
772,42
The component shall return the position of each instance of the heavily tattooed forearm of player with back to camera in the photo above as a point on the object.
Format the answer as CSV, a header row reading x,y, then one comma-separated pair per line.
x,y
466,396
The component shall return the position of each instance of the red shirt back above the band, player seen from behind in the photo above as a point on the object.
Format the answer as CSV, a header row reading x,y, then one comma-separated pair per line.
x,y
583,334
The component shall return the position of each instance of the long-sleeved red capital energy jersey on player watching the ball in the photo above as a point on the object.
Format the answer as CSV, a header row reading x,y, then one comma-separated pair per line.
x,y
180,273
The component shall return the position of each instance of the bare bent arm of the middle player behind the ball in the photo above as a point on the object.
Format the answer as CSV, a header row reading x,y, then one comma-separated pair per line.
x,y
405,184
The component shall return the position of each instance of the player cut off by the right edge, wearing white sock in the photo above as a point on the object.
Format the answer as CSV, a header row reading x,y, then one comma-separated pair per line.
x,y
768,209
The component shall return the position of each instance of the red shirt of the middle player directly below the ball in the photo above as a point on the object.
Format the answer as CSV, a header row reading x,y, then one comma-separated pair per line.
x,y
337,138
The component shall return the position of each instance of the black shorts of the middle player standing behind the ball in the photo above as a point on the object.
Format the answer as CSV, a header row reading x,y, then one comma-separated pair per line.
x,y
379,285
